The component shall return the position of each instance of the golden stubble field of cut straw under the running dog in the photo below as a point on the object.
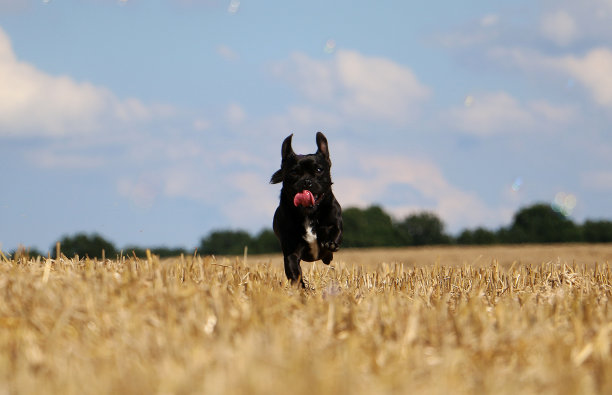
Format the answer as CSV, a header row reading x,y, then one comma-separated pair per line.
x,y
503,320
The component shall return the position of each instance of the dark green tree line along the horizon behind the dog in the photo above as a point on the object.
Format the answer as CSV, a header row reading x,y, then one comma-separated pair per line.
x,y
369,227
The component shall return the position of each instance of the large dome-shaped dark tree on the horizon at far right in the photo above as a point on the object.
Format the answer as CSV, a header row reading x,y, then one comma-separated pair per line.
x,y
539,223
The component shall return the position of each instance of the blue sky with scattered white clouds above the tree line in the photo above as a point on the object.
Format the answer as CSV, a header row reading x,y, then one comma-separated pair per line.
x,y
155,122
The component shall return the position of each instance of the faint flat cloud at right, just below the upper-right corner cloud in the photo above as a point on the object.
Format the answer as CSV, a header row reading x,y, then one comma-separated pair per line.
x,y
498,112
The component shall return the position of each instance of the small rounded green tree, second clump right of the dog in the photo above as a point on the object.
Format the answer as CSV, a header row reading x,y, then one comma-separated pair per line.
x,y
423,229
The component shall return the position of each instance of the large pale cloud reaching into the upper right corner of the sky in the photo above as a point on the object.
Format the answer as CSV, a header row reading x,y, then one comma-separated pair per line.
x,y
565,23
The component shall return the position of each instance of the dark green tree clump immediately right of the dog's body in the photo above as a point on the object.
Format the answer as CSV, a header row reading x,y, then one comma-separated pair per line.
x,y
370,227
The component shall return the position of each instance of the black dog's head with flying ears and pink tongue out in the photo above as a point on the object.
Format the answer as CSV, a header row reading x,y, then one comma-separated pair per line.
x,y
306,178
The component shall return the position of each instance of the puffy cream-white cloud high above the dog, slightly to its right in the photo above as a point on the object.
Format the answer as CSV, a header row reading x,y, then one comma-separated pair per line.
x,y
357,86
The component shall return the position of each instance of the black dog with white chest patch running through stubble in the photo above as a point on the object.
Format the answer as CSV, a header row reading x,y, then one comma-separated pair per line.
x,y
308,220
